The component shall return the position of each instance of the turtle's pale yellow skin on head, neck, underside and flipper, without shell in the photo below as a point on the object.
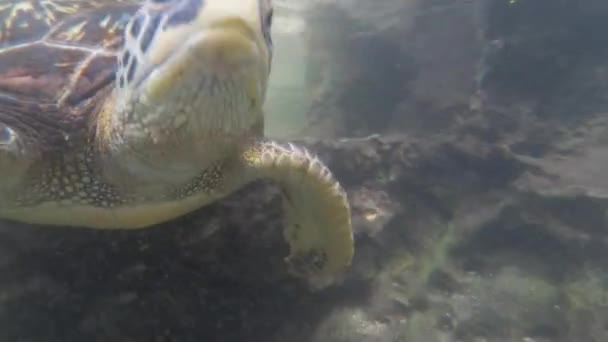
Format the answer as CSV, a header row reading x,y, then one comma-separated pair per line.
x,y
183,130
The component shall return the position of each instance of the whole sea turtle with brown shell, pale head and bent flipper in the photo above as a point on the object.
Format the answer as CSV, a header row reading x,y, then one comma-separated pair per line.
x,y
122,114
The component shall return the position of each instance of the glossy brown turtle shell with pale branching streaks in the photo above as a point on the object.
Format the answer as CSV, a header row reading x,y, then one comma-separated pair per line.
x,y
57,66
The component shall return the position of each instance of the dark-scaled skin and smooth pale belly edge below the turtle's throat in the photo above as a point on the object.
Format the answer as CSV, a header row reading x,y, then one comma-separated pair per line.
x,y
69,190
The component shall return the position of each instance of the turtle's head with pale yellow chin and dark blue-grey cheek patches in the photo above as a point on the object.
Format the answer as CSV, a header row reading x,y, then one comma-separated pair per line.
x,y
191,72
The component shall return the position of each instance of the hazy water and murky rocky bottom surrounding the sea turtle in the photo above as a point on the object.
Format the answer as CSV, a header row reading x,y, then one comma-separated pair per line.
x,y
471,139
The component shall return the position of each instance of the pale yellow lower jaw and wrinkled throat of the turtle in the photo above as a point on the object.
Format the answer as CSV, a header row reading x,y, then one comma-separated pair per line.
x,y
212,86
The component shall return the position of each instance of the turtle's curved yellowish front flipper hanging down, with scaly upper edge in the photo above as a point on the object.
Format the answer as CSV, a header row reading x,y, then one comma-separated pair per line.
x,y
318,224
